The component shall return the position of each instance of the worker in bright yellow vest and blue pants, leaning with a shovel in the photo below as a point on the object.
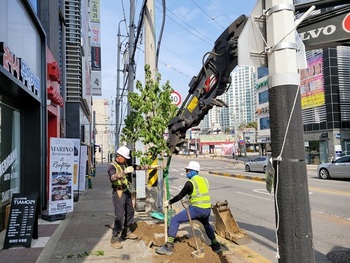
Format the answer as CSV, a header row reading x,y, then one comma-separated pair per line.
x,y
197,188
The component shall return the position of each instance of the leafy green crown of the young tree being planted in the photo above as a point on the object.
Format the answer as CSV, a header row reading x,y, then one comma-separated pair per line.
x,y
151,110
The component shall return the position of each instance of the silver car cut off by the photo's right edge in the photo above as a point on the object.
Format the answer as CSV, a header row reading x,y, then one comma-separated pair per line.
x,y
340,168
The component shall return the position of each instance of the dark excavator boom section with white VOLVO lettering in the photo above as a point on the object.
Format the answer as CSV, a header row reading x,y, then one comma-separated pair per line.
x,y
326,33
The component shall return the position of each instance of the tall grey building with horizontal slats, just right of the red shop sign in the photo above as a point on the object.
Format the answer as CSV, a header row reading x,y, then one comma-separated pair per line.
x,y
78,70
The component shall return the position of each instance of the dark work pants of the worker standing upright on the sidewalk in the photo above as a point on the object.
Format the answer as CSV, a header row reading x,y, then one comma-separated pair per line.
x,y
123,211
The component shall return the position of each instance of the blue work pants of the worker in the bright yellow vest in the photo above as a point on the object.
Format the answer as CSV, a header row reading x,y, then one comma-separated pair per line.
x,y
200,214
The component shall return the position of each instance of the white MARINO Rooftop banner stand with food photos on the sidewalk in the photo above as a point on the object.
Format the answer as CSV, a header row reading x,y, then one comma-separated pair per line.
x,y
60,176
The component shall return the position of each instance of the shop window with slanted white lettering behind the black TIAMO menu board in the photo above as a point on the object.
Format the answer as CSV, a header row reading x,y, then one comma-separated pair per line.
x,y
9,157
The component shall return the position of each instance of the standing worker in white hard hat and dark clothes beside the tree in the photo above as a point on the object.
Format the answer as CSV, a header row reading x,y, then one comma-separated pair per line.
x,y
120,176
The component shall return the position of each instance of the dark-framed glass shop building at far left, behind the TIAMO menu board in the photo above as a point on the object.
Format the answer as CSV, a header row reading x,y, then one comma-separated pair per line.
x,y
23,98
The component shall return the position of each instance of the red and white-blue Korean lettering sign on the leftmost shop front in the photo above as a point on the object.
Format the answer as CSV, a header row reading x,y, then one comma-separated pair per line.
x,y
19,69
